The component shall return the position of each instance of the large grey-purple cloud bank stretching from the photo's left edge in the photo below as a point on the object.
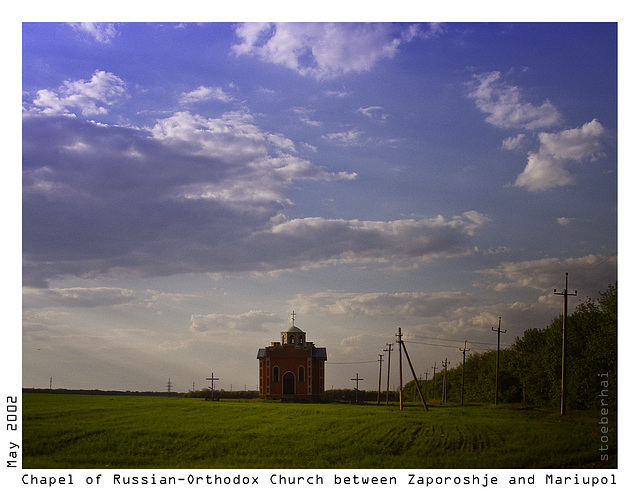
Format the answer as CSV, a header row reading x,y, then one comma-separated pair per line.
x,y
192,194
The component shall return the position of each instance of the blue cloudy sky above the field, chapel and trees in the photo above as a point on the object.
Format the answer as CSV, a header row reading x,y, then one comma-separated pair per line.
x,y
187,186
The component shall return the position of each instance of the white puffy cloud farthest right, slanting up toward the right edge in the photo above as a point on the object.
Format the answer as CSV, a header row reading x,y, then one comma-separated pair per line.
x,y
547,168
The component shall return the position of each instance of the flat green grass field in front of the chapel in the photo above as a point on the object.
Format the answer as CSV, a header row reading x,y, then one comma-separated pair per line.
x,y
98,431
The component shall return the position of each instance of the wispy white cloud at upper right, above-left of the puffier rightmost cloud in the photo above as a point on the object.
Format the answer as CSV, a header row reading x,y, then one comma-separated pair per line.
x,y
505,107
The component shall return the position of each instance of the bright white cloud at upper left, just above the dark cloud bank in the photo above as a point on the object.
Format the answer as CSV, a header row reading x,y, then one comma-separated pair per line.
x,y
89,97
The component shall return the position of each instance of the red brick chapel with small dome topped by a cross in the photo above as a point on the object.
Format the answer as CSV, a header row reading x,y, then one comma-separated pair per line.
x,y
292,368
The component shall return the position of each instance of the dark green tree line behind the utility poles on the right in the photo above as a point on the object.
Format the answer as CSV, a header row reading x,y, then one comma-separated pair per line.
x,y
531,369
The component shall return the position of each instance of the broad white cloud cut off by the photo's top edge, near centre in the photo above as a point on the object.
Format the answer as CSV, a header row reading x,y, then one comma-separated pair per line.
x,y
326,50
